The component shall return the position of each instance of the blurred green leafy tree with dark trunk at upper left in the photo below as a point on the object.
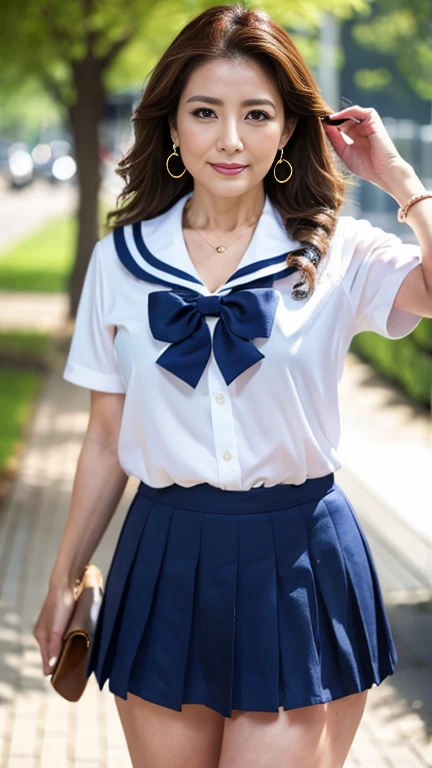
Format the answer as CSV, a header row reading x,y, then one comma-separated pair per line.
x,y
80,48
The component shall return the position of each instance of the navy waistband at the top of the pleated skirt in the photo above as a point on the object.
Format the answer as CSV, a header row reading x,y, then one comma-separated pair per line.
x,y
205,497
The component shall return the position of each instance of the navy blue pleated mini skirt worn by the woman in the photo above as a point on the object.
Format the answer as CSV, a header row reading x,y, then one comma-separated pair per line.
x,y
250,600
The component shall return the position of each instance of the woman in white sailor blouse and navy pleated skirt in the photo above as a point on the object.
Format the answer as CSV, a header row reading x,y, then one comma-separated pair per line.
x,y
242,622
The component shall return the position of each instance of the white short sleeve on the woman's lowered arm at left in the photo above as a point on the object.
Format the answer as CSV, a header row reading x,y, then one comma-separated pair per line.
x,y
91,361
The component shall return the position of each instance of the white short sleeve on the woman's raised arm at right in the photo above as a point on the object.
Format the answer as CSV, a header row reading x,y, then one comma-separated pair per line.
x,y
376,264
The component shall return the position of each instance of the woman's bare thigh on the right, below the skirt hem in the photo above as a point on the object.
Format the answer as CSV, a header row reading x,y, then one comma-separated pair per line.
x,y
317,736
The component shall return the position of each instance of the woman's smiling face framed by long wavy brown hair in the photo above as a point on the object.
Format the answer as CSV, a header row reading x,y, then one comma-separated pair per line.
x,y
230,112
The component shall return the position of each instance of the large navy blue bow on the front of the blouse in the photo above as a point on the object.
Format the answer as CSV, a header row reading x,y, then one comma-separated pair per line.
x,y
178,316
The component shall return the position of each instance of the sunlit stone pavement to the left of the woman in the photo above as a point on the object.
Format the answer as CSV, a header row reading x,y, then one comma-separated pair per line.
x,y
37,727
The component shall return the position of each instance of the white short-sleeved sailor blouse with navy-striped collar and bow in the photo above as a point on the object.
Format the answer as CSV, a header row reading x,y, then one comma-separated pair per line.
x,y
237,388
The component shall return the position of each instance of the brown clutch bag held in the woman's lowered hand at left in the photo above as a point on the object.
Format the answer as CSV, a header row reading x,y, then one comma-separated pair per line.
x,y
69,674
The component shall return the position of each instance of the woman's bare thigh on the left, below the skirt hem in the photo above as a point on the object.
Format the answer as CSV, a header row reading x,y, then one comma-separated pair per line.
x,y
158,737
